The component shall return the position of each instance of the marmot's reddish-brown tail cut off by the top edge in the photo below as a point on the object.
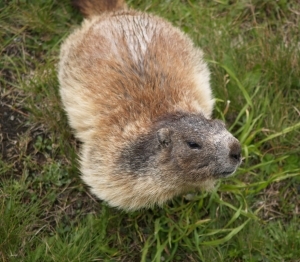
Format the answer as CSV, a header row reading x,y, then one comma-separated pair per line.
x,y
91,8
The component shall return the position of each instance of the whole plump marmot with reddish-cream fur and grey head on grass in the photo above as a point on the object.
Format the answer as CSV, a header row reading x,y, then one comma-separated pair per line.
x,y
136,91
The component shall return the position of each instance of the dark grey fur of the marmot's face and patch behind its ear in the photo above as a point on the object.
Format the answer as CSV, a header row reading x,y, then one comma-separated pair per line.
x,y
188,148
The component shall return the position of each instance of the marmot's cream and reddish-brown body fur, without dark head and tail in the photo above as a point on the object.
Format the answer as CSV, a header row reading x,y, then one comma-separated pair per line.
x,y
107,113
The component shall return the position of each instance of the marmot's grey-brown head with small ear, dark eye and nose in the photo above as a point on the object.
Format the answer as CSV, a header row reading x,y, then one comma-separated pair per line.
x,y
199,148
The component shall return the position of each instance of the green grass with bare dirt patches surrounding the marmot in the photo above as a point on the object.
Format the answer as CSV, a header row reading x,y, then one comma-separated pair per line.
x,y
47,214
